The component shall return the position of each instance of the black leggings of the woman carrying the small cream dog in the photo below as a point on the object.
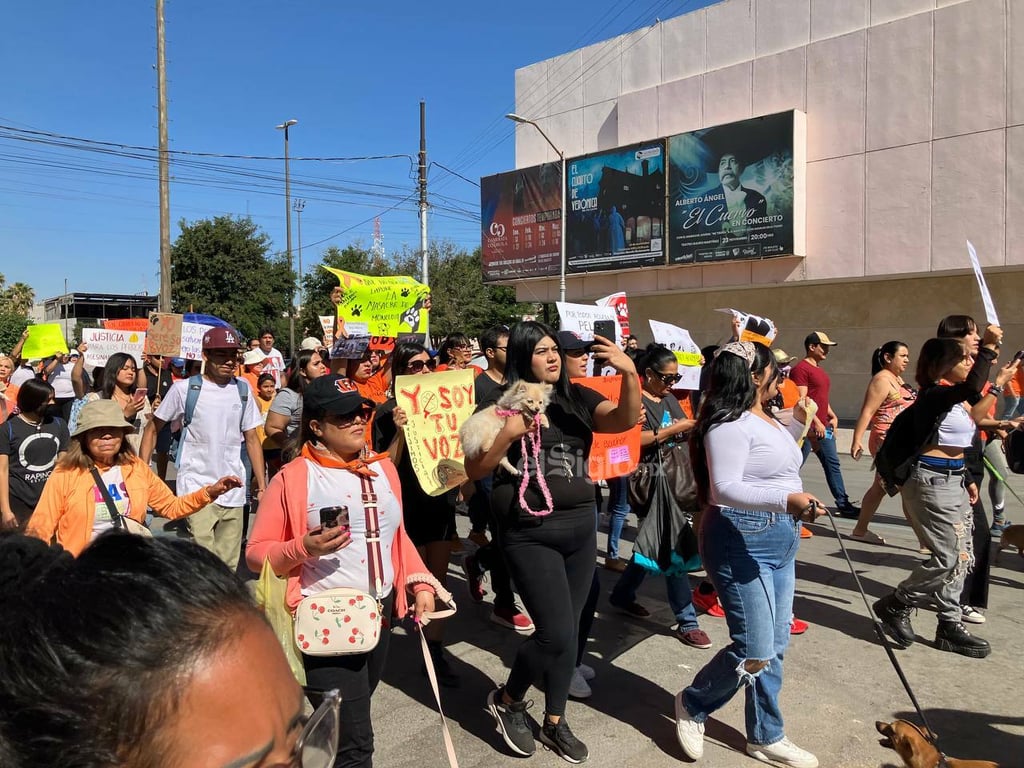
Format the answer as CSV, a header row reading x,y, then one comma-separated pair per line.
x,y
553,568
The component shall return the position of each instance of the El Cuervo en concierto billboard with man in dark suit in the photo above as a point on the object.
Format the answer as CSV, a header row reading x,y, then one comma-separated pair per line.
x,y
737,191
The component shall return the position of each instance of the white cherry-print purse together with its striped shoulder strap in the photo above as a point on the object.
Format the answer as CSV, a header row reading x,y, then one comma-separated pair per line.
x,y
345,621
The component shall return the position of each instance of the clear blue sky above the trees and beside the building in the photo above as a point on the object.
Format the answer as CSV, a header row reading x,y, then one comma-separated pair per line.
x,y
352,73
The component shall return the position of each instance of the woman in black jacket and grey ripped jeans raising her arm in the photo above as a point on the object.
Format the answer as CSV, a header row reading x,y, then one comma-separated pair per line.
x,y
940,492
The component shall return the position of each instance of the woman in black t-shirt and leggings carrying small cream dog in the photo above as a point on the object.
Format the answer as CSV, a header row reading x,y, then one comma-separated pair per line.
x,y
550,557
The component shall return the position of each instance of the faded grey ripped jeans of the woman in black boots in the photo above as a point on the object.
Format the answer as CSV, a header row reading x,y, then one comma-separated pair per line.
x,y
940,501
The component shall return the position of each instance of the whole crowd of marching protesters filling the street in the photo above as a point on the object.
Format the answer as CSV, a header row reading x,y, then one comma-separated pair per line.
x,y
263,445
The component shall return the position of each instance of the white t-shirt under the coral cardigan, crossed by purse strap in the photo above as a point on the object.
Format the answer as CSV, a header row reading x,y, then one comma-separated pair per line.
x,y
349,567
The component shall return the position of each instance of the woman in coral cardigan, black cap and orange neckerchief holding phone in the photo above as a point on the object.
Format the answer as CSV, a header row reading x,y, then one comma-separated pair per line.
x,y
313,526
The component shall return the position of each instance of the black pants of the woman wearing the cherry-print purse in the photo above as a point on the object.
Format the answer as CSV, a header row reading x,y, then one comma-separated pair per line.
x,y
357,677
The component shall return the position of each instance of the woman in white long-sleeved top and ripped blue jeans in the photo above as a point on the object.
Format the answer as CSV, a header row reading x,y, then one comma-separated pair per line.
x,y
747,466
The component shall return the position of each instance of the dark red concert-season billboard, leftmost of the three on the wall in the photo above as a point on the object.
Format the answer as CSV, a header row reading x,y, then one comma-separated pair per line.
x,y
521,223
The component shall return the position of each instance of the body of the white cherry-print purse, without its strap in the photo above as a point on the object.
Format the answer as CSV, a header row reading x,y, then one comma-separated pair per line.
x,y
337,622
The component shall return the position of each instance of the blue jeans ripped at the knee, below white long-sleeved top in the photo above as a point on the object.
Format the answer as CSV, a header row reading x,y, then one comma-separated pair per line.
x,y
751,559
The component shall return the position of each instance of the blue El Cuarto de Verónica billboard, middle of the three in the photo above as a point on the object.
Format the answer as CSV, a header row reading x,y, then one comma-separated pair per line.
x,y
616,217
